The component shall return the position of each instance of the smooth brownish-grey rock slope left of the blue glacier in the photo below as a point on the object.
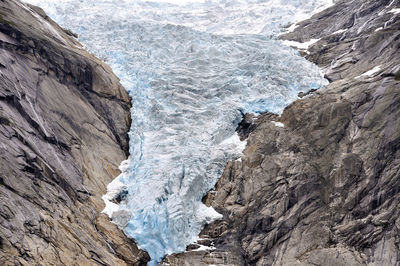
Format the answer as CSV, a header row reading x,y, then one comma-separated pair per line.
x,y
64,119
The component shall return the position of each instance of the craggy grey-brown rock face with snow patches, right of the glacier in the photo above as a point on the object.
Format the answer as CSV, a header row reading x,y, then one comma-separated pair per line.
x,y
325,188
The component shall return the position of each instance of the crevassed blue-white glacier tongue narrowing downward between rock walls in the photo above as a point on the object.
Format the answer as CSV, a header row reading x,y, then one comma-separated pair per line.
x,y
192,68
